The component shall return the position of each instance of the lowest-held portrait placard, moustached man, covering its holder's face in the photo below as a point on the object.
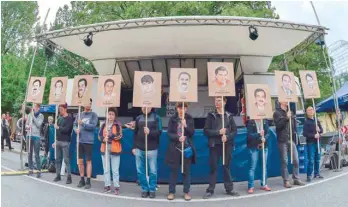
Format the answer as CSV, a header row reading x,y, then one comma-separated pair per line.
x,y
259,105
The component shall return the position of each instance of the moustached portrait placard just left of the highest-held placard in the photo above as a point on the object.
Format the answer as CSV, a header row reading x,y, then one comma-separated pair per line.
x,y
183,85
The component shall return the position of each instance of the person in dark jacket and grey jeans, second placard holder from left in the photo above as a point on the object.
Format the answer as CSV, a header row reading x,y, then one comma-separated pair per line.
x,y
63,128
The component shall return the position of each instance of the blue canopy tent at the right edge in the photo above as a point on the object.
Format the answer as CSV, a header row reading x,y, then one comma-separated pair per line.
x,y
328,105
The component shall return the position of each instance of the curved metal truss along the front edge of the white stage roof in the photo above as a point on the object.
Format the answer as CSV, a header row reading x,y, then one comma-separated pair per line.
x,y
182,21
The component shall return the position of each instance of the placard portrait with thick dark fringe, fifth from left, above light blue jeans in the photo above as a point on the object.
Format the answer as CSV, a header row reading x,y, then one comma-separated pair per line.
x,y
147,89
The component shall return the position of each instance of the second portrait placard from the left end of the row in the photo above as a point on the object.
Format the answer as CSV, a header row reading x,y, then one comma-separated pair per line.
x,y
58,90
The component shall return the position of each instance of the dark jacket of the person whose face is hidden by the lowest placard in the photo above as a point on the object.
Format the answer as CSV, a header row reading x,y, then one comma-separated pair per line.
x,y
253,137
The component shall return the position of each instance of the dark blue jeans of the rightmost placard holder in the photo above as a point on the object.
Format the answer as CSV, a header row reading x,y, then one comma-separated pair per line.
x,y
313,159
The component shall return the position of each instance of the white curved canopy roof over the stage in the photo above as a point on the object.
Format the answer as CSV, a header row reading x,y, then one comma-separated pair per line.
x,y
148,44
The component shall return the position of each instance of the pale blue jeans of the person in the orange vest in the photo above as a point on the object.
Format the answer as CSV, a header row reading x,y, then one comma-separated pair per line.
x,y
115,165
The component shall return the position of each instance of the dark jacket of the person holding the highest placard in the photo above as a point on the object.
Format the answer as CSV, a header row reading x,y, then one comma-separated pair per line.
x,y
213,124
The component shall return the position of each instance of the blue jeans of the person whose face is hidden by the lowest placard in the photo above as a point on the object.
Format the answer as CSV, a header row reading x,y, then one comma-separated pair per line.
x,y
255,155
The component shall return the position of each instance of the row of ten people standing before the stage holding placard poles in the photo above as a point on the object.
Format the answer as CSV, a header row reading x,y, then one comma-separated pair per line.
x,y
180,131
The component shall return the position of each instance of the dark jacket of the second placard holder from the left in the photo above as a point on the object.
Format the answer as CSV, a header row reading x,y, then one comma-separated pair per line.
x,y
65,128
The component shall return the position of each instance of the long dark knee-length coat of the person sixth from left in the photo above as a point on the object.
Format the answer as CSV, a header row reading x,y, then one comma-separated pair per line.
x,y
173,154
